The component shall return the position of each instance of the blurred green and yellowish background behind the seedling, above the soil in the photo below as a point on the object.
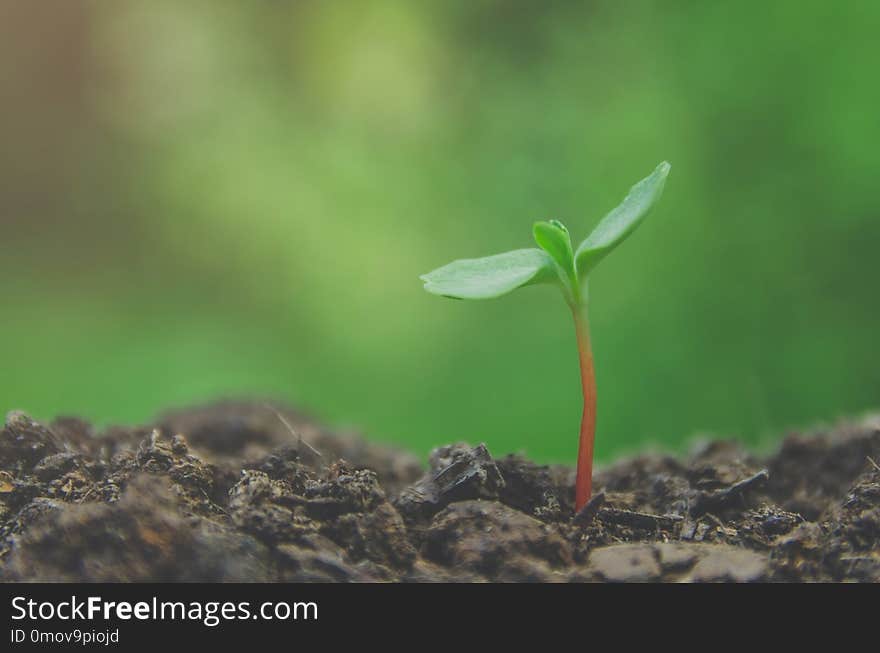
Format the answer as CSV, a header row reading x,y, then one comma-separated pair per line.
x,y
207,199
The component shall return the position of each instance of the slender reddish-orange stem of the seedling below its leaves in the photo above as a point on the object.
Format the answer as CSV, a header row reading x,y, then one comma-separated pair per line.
x,y
584,477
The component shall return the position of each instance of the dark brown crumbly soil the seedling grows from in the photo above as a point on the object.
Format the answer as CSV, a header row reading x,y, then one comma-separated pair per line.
x,y
229,492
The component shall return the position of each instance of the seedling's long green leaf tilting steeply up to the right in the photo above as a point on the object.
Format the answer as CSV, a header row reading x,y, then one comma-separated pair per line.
x,y
622,221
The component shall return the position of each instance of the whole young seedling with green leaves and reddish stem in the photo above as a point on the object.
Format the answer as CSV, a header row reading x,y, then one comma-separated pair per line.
x,y
556,262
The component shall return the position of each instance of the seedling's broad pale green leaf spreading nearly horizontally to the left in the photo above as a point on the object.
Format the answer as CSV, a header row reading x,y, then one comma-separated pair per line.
x,y
492,276
